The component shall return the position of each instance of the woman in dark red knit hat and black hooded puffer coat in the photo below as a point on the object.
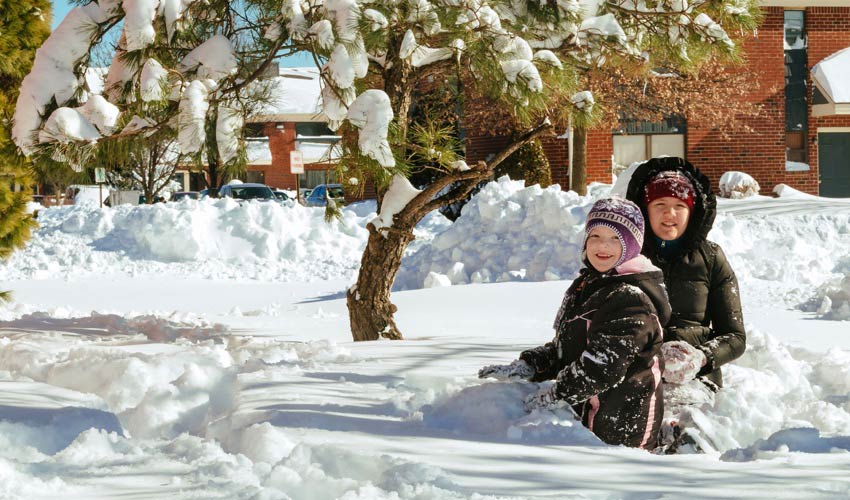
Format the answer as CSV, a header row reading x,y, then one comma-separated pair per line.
x,y
677,200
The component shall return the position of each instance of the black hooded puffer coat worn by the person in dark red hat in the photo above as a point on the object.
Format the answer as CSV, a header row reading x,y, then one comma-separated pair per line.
x,y
702,287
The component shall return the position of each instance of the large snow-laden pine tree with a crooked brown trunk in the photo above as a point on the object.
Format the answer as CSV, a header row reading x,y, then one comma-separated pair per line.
x,y
204,56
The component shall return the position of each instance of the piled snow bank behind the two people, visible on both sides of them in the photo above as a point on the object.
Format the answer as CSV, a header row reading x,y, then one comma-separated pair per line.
x,y
511,232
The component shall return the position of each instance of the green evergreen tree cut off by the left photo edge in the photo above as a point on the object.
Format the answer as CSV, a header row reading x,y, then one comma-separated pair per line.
x,y
23,27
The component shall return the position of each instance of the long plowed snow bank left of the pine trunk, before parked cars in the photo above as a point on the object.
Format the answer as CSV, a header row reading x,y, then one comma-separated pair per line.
x,y
218,239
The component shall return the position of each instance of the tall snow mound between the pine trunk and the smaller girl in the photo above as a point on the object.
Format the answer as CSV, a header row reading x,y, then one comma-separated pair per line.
x,y
506,232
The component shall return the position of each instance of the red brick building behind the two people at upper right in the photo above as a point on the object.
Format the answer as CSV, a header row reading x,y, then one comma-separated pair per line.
x,y
802,137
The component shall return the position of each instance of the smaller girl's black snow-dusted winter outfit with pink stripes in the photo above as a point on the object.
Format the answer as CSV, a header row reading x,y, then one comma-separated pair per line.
x,y
605,357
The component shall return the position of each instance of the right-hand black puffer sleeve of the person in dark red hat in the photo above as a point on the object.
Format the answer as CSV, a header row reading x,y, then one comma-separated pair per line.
x,y
727,339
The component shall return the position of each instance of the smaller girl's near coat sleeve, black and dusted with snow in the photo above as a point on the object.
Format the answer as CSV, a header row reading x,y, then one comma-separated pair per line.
x,y
619,331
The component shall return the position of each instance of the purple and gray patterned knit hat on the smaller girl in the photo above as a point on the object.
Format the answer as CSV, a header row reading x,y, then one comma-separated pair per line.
x,y
624,218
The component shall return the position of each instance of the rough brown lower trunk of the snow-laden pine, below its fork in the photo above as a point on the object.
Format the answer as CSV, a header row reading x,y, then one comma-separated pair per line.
x,y
369,308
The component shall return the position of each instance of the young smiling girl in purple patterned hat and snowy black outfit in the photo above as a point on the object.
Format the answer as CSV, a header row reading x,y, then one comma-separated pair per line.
x,y
605,357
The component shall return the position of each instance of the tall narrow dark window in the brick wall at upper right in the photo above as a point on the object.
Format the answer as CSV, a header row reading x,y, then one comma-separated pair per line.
x,y
796,108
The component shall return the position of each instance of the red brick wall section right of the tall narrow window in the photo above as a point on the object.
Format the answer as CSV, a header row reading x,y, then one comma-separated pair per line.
x,y
828,32
